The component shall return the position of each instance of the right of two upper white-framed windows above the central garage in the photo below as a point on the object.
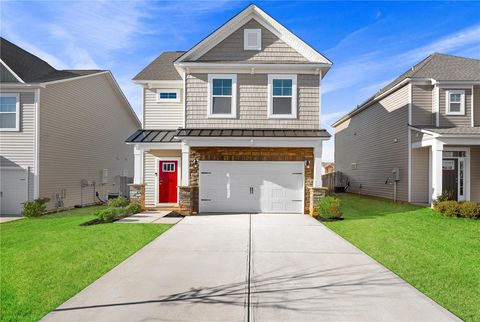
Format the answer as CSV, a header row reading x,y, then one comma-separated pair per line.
x,y
282,101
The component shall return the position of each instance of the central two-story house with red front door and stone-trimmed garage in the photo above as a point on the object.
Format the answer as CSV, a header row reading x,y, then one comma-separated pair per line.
x,y
233,124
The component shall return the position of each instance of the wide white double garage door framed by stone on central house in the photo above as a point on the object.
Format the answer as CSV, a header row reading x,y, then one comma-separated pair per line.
x,y
251,186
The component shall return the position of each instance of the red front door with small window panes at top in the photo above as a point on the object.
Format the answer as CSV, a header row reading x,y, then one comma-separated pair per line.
x,y
168,181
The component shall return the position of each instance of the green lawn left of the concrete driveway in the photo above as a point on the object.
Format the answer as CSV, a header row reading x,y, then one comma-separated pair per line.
x,y
46,261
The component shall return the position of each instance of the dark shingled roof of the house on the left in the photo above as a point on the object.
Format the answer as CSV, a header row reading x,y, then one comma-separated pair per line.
x,y
27,68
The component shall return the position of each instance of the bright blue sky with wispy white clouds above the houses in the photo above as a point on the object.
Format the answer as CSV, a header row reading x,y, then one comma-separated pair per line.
x,y
370,43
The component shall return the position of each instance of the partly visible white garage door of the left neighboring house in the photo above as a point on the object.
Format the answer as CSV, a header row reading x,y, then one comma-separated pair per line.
x,y
13,190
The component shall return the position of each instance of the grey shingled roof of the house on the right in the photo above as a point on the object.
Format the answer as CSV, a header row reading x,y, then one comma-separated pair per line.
x,y
436,67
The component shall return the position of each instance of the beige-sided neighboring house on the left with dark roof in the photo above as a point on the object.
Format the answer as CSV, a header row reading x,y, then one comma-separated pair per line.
x,y
57,128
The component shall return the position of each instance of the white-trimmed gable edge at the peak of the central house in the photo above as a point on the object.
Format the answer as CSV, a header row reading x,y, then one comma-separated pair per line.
x,y
253,12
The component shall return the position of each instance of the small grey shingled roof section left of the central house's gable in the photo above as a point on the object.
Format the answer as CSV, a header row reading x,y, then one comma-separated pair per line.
x,y
161,68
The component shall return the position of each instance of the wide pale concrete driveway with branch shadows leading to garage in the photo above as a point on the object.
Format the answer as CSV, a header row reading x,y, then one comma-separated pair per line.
x,y
250,268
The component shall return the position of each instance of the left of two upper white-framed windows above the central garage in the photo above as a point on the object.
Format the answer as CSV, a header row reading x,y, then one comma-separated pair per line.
x,y
222,95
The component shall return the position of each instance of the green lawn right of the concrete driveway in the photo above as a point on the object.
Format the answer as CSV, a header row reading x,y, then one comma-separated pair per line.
x,y
439,256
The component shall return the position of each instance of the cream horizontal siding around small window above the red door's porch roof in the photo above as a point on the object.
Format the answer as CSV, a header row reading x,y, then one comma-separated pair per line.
x,y
161,115
